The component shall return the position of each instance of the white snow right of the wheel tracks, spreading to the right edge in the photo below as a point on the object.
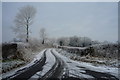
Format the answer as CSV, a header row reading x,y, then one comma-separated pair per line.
x,y
77,68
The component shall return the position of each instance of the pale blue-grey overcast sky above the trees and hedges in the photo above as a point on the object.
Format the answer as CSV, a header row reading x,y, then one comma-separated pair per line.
x,y
97,20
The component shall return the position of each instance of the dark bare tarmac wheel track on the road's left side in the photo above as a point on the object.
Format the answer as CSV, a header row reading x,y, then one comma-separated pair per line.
x,y
25,75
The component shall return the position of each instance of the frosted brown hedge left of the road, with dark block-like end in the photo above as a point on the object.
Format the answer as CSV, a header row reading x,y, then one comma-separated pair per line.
x,y
21,50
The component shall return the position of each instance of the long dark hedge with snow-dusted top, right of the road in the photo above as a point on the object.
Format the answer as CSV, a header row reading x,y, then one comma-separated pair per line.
x,y
104,50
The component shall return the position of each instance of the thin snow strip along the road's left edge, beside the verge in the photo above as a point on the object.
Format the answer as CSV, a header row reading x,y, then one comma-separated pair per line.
x,y
17,70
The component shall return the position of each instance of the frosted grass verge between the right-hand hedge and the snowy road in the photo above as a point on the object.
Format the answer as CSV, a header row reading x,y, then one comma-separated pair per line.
x,y
89,59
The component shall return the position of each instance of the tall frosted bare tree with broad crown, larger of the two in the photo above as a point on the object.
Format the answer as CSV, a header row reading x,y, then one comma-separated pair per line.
x,y
23,20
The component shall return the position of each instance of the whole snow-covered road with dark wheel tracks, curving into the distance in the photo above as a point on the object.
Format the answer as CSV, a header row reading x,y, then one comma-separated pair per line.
x,y
54,65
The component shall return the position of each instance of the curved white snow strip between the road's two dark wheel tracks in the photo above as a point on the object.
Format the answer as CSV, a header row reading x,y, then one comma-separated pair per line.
x,y
50,61
